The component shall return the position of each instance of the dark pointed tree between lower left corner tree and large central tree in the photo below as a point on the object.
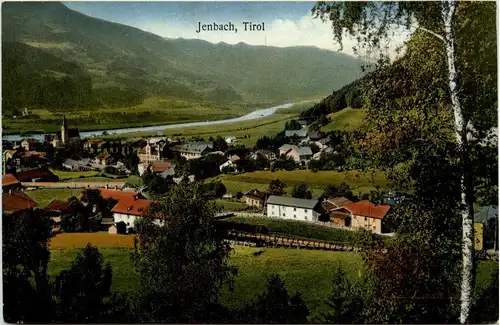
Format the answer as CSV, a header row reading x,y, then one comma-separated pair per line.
x,y
82,289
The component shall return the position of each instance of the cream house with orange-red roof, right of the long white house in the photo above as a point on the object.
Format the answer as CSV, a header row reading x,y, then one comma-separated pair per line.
x,y
360,215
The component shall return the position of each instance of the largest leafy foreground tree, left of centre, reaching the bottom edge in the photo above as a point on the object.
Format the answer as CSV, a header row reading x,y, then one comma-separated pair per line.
x,y
182,264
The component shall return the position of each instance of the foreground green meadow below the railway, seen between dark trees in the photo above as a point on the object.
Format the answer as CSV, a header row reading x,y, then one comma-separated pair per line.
x,y
304,270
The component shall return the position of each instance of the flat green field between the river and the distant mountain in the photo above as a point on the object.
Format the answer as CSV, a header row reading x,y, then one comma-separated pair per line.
x,y
152,111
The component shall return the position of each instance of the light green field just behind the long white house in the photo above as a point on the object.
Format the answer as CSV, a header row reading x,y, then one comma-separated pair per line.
x,y
358,181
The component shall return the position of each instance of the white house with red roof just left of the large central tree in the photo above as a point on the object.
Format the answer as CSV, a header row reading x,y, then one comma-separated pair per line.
x,y
131,210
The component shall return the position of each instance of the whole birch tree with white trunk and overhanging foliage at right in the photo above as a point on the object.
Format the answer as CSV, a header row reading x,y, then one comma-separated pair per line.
x,y
372,24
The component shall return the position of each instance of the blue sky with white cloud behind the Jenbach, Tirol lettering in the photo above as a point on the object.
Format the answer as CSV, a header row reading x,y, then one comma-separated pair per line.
x,y
286,23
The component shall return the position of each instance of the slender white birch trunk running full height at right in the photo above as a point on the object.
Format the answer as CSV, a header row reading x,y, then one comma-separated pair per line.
x,y
448,10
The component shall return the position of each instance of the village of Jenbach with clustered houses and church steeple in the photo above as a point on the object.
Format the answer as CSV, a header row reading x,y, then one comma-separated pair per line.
x,y
29,165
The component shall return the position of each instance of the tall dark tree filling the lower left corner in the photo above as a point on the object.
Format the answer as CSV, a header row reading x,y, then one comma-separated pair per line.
x,y
25,257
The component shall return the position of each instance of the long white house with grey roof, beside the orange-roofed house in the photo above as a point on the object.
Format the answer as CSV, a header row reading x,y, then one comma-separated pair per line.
x,y
285,207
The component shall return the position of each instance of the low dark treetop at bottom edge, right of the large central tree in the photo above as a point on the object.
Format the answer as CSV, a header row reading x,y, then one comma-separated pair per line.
x,y
275,306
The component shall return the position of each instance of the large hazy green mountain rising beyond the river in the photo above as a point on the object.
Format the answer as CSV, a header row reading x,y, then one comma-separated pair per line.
x,y
123,64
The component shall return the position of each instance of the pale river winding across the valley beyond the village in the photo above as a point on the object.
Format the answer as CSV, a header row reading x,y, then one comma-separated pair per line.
x,y
88,134
